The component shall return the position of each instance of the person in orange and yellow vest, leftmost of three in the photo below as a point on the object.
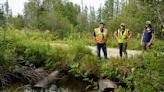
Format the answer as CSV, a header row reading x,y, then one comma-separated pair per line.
x,y
101,37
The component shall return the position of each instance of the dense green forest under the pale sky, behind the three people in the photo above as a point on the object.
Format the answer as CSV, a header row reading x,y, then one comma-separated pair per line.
x,y
65,19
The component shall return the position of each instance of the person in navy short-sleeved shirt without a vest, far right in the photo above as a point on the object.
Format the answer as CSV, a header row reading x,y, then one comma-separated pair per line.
x,y
147,36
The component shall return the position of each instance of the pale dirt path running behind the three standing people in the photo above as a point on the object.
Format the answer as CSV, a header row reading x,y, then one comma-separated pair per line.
x,y
112,52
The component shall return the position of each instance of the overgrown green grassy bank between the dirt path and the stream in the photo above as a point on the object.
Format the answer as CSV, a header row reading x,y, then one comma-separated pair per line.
x,y
142,74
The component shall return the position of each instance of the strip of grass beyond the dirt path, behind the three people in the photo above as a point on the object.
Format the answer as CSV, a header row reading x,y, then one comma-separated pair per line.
x,y
133,44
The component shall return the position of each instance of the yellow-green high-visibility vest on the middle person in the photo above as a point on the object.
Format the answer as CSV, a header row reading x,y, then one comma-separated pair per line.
x,y
123,36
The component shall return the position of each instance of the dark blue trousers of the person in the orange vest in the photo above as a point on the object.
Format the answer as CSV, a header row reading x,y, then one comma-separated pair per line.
x,y
103,47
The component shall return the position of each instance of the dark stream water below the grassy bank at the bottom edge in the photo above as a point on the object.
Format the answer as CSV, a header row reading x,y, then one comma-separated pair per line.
x,y
68,84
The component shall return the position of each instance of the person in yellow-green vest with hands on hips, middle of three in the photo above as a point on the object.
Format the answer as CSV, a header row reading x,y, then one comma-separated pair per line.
x,y
122,35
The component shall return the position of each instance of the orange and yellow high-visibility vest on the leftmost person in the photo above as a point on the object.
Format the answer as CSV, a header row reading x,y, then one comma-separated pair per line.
x,y
101,37
